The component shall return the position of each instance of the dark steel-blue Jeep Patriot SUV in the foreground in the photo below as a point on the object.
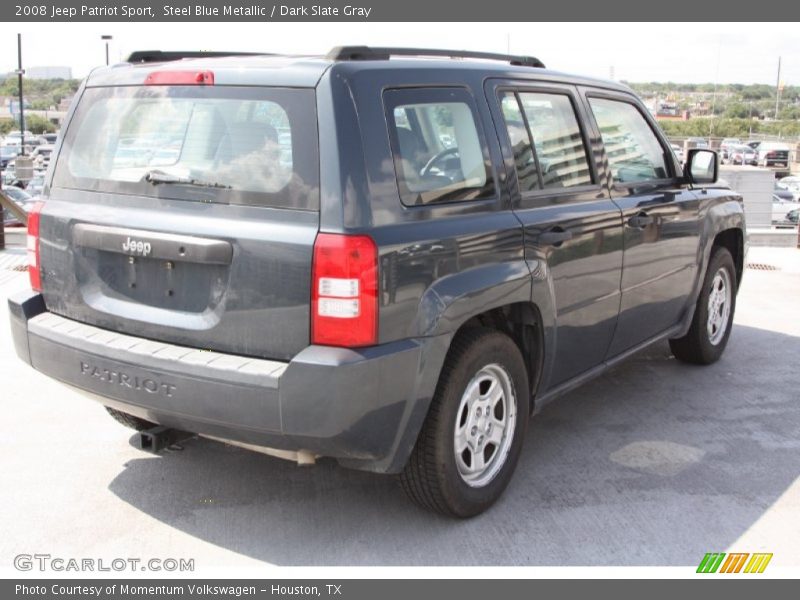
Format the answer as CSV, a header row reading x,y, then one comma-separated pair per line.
x,y
389,301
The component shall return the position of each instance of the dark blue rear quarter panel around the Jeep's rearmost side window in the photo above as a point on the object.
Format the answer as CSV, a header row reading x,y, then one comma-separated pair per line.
x,y
440,264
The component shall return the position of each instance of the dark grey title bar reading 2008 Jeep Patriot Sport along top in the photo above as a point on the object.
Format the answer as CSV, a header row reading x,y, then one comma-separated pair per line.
x,y
398,10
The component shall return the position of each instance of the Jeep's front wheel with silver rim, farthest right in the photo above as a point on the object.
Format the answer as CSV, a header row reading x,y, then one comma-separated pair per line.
x,y
706,339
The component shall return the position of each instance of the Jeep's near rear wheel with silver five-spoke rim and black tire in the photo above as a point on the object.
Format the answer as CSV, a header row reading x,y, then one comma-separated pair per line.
x,y
471,440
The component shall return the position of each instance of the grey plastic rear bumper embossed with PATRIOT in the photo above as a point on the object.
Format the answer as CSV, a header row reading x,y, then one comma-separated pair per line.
x,y
364,408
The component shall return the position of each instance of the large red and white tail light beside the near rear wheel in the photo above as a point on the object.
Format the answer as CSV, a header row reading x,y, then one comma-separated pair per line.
x,y
344,298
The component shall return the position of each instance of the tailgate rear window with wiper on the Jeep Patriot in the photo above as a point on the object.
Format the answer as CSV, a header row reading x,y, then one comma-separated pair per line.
x,y
255,146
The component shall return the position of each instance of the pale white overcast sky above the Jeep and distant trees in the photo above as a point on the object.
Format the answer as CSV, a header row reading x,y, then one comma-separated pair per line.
x,y
636,52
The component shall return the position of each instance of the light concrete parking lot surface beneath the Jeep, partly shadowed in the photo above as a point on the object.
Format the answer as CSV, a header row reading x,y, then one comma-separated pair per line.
x,y
654,463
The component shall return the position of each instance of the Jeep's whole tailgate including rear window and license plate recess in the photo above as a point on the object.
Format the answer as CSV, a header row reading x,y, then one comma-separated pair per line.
x,y
187,215
